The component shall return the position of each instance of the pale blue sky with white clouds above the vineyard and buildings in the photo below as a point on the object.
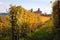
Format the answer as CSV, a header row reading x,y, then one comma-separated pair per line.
x,y
44,5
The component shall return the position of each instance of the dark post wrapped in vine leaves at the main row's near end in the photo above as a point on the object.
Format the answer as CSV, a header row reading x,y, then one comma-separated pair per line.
x,y
14,24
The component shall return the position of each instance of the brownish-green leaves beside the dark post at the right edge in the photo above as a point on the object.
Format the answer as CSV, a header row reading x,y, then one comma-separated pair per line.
x,y
55,13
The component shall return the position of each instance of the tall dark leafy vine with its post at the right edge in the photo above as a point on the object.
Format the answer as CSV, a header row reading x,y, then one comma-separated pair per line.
x,y
56,16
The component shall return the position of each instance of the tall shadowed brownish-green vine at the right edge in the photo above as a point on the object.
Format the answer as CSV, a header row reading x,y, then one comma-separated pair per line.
x,y
56,14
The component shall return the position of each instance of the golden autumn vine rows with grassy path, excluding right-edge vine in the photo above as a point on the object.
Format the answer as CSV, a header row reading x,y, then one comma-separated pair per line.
x,y
26,25
